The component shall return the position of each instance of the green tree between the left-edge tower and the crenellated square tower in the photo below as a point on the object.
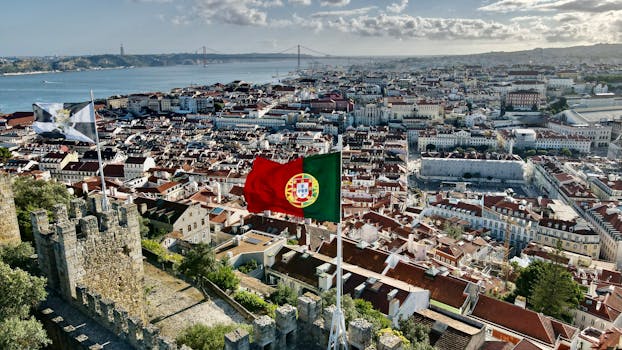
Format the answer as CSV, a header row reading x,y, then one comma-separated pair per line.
x,y
31,194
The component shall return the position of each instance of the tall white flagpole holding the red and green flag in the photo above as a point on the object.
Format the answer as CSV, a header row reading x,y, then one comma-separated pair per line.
x,y
338,335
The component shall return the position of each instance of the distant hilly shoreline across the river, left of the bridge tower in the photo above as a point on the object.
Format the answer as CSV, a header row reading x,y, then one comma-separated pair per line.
x,y
71,63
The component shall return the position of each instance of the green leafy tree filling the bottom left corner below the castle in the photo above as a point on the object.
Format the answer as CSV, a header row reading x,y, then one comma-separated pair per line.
x,y
19,293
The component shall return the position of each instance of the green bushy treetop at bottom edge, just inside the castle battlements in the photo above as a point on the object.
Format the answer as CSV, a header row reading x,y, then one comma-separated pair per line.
x,y
203,337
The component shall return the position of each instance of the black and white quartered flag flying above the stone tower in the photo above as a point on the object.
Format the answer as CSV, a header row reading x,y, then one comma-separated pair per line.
x,y
70,121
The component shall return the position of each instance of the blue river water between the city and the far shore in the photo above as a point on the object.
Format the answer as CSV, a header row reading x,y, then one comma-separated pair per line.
x,y
18,93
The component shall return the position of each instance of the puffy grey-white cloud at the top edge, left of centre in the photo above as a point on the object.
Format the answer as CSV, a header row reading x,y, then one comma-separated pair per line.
x,y
239,12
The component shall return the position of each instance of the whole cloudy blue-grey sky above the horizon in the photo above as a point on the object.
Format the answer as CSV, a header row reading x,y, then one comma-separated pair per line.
x,y
336,27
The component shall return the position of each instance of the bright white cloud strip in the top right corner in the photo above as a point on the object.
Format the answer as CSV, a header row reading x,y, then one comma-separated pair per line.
x,y
591,6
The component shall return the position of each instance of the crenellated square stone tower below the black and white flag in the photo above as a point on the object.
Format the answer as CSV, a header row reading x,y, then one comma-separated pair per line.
x,y
98,249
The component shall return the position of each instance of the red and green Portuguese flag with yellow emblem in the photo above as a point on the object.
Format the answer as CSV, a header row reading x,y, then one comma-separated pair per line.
x,y
308,187
